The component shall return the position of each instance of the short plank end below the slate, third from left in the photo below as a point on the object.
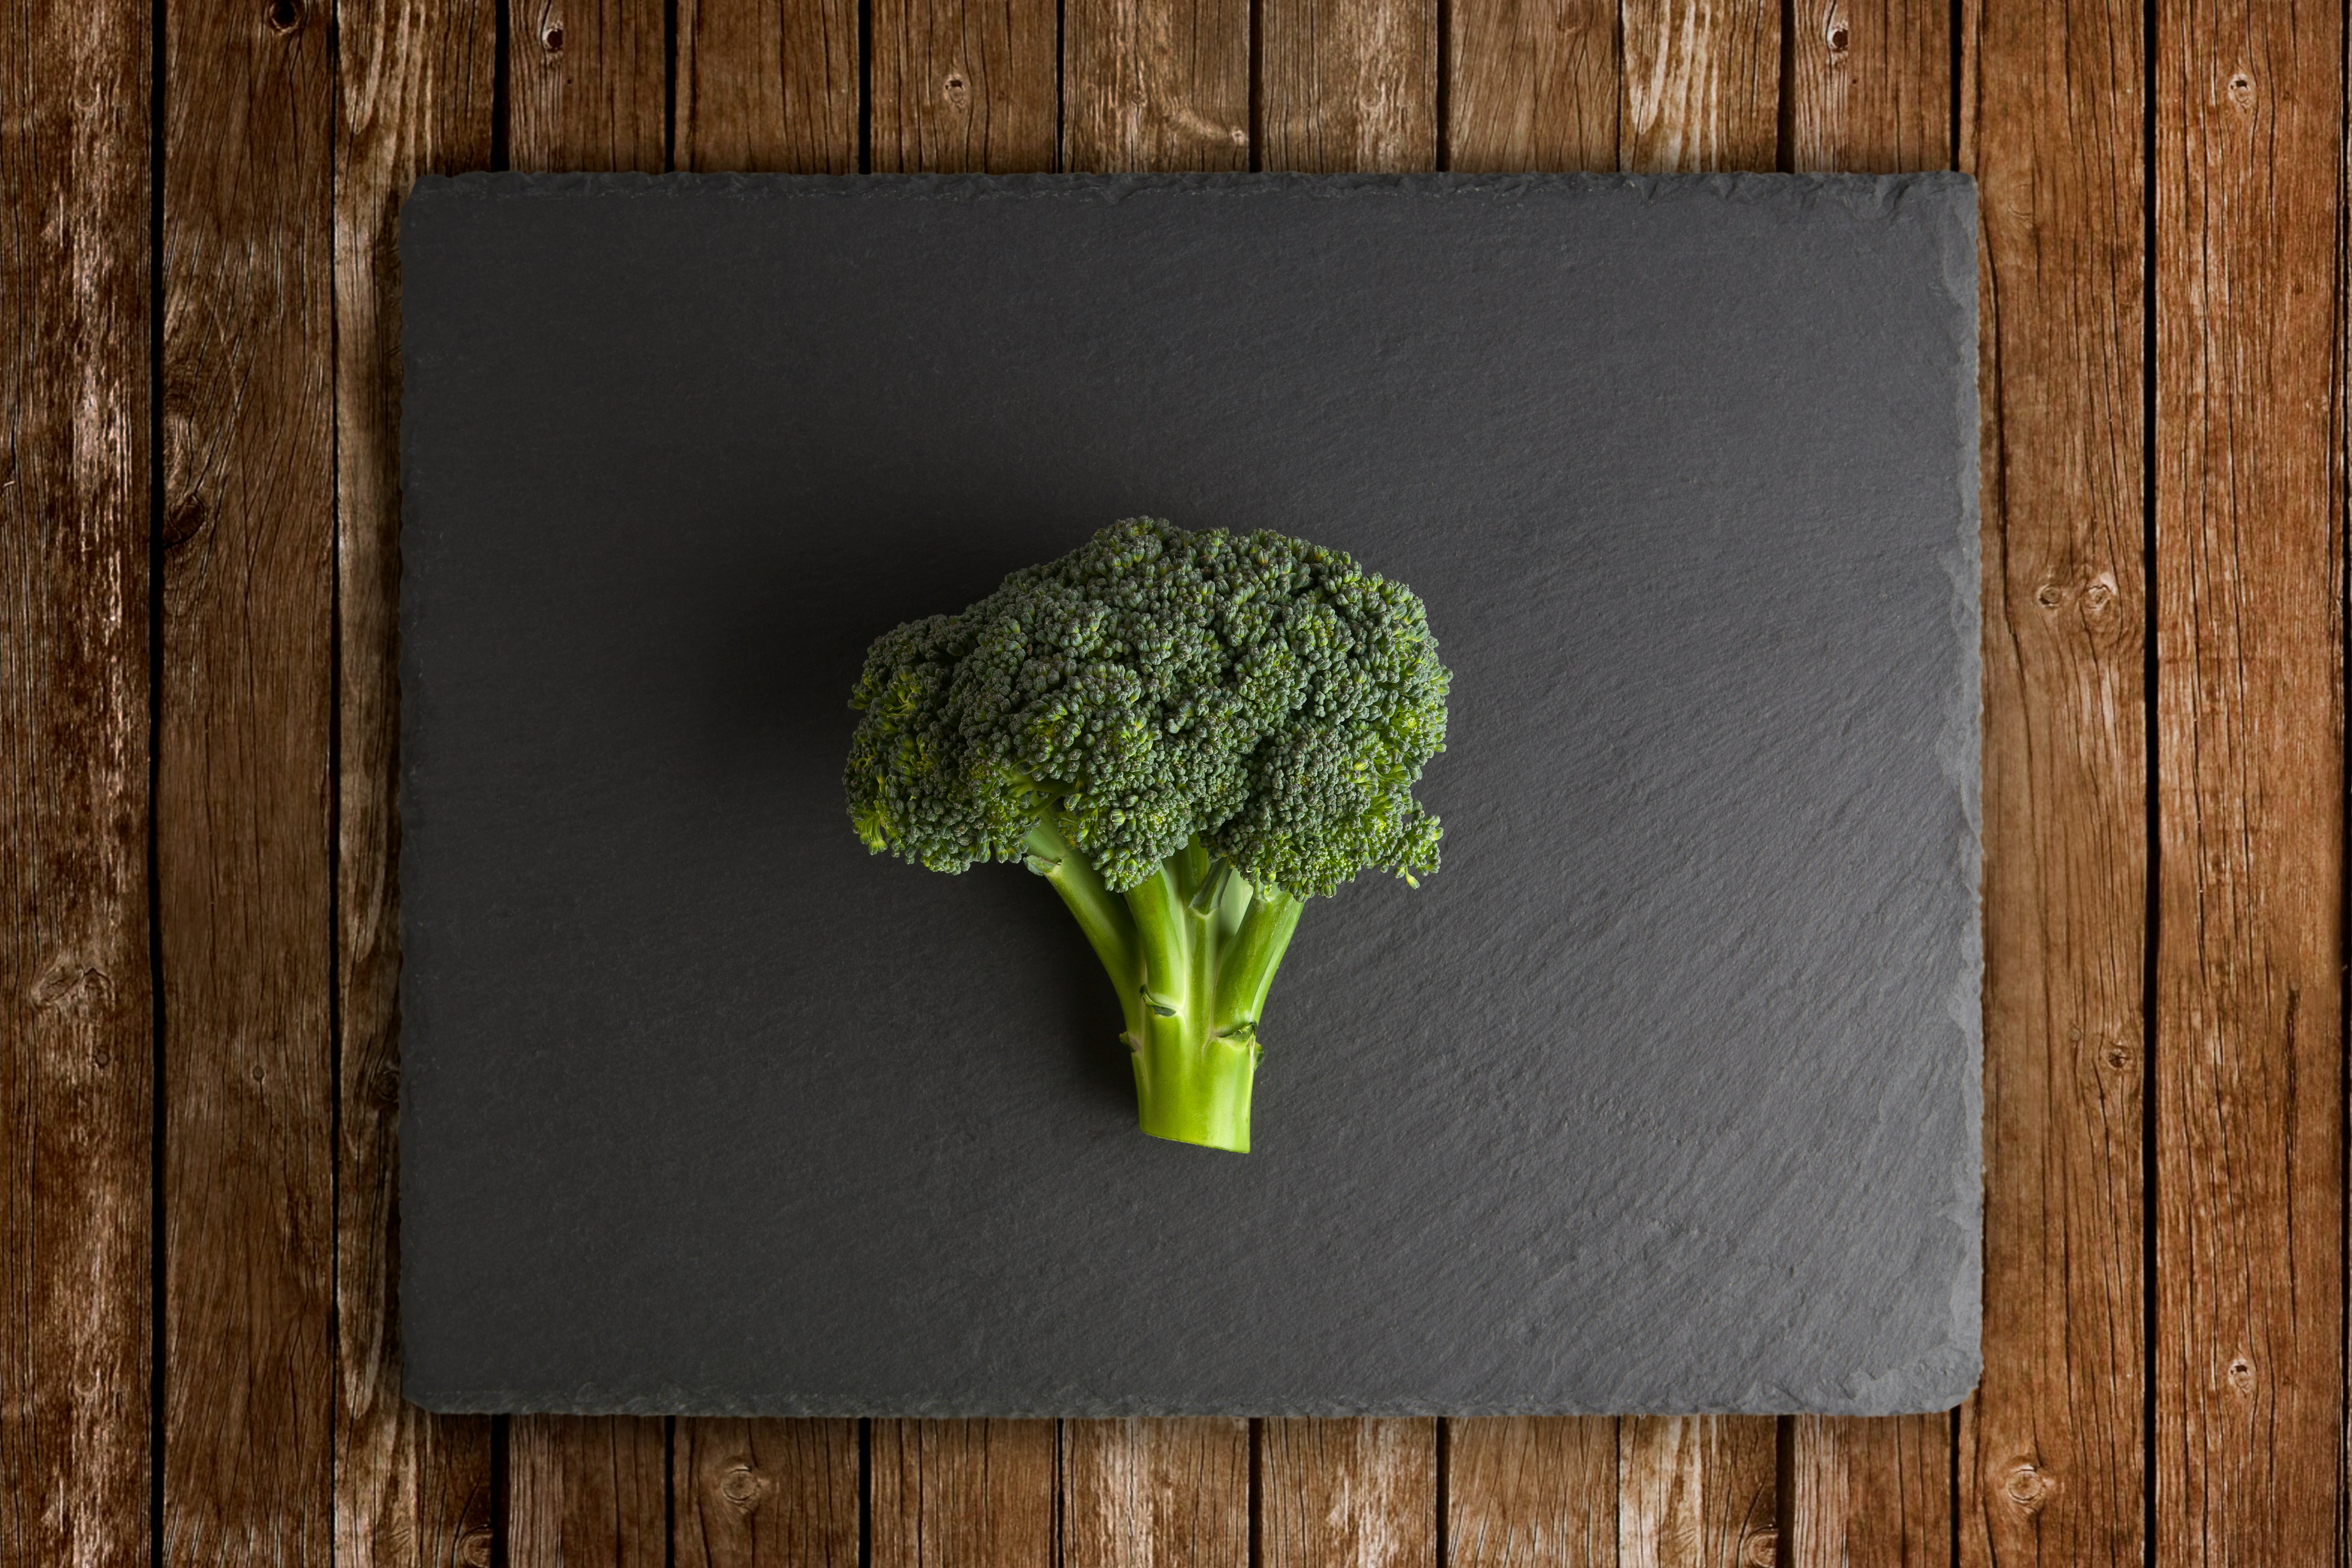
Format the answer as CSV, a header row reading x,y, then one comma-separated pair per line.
x,y
963,1494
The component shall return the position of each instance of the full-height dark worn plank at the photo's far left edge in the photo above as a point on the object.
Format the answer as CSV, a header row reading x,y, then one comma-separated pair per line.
x,y
76,1007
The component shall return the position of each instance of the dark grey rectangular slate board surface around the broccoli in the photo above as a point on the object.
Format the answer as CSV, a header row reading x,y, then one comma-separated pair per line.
x,y
1662,1097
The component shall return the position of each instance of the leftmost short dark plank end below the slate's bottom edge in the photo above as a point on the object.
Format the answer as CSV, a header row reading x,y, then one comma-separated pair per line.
x,y
587,1492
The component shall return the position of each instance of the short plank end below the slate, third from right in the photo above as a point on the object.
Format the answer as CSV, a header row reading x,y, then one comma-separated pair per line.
x,y
1532,1492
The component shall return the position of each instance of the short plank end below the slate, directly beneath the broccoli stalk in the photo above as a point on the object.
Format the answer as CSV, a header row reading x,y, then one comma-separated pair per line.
x,y
1147,1494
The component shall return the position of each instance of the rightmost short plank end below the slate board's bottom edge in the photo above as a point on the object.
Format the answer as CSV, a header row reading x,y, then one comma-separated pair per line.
x,y
1871,1492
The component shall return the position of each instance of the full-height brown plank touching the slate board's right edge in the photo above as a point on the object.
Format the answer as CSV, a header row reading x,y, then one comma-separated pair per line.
x,y
2052,1445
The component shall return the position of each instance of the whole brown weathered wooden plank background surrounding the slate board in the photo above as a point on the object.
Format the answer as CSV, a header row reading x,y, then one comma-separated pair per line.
x,y
199,1071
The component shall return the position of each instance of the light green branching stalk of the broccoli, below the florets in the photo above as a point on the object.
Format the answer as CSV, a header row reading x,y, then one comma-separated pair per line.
x,y
1191,951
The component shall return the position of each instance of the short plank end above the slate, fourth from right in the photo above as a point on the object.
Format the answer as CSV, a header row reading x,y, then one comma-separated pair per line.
x,y
1349,86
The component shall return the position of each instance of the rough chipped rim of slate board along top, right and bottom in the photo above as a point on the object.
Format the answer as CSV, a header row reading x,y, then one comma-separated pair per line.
x,y
1939,1381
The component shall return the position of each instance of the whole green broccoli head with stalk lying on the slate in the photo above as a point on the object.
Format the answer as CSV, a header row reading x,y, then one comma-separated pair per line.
x,y
1189,737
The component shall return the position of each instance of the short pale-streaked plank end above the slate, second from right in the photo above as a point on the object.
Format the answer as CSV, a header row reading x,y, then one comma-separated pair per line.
x,y
1702,86
